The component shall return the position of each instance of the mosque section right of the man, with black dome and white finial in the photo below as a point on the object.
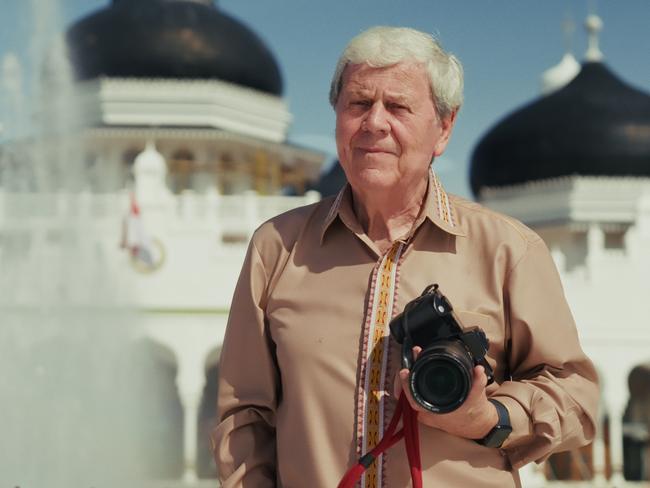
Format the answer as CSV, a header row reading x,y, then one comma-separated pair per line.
x,y
574,165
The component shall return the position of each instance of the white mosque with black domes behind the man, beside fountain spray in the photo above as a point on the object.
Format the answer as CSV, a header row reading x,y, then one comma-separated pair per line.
x,y
183,104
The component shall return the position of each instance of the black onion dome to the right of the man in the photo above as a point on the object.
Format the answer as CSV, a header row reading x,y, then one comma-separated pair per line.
x,y
595,125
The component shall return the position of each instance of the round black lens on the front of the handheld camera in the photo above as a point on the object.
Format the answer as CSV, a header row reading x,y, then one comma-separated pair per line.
x,y
441,377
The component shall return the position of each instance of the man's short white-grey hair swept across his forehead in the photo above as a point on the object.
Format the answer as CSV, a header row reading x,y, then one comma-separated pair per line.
x,y
386,46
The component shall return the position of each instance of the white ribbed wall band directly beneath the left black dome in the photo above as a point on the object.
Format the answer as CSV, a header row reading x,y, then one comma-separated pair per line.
x,y
182,103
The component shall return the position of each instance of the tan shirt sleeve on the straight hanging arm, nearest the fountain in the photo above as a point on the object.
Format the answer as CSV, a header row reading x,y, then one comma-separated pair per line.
x,y
243,442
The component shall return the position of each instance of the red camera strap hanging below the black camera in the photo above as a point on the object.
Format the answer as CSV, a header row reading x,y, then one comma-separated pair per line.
x,y
409,432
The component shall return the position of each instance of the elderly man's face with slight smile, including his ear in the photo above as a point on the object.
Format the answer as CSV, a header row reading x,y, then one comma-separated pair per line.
x,y
387,127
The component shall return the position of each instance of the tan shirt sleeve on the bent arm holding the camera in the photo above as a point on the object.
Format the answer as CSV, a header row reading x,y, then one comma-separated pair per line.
x,y
553,395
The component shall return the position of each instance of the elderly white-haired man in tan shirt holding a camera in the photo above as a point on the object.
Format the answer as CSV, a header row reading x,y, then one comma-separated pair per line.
x,y
308,367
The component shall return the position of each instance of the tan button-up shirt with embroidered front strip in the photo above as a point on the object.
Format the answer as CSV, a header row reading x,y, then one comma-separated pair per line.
x,y
307,366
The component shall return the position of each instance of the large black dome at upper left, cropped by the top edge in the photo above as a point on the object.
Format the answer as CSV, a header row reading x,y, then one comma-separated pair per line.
x,y
186,39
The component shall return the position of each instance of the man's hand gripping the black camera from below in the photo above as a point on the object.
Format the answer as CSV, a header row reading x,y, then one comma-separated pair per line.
x,y
473,419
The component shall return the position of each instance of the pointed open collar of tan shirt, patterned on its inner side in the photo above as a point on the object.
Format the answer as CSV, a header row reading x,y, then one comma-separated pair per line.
x,y
438,209
